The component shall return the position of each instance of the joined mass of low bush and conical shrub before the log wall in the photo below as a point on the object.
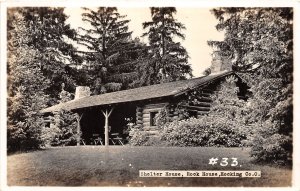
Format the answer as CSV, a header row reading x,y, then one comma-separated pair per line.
x,y
224,126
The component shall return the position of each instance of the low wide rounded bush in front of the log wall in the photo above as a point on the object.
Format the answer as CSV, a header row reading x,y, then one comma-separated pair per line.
x,y
205,131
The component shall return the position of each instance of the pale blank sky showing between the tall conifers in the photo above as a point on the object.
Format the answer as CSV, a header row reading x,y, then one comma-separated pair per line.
x,y
200,27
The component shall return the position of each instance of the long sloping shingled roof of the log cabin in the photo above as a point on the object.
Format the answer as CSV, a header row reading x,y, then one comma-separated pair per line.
x,y
138,94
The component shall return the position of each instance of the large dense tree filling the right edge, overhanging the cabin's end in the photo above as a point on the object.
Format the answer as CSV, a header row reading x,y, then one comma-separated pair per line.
x,y
259,42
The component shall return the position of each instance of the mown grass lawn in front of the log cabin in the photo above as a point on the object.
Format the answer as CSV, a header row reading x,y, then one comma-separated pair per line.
x,y
120,165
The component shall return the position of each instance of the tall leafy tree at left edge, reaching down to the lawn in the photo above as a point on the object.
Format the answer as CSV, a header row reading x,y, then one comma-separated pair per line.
x,y
26,86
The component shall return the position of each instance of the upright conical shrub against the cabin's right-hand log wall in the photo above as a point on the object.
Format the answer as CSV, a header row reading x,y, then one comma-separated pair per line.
x,y
227,113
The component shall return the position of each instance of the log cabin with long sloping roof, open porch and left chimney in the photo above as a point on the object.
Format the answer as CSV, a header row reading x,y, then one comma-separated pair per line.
x,y
109,113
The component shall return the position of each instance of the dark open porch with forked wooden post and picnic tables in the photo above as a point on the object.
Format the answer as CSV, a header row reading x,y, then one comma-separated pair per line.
x,y
105,125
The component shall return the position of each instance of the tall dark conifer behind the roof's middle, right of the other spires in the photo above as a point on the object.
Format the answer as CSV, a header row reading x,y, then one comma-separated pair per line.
x,y
166,60
